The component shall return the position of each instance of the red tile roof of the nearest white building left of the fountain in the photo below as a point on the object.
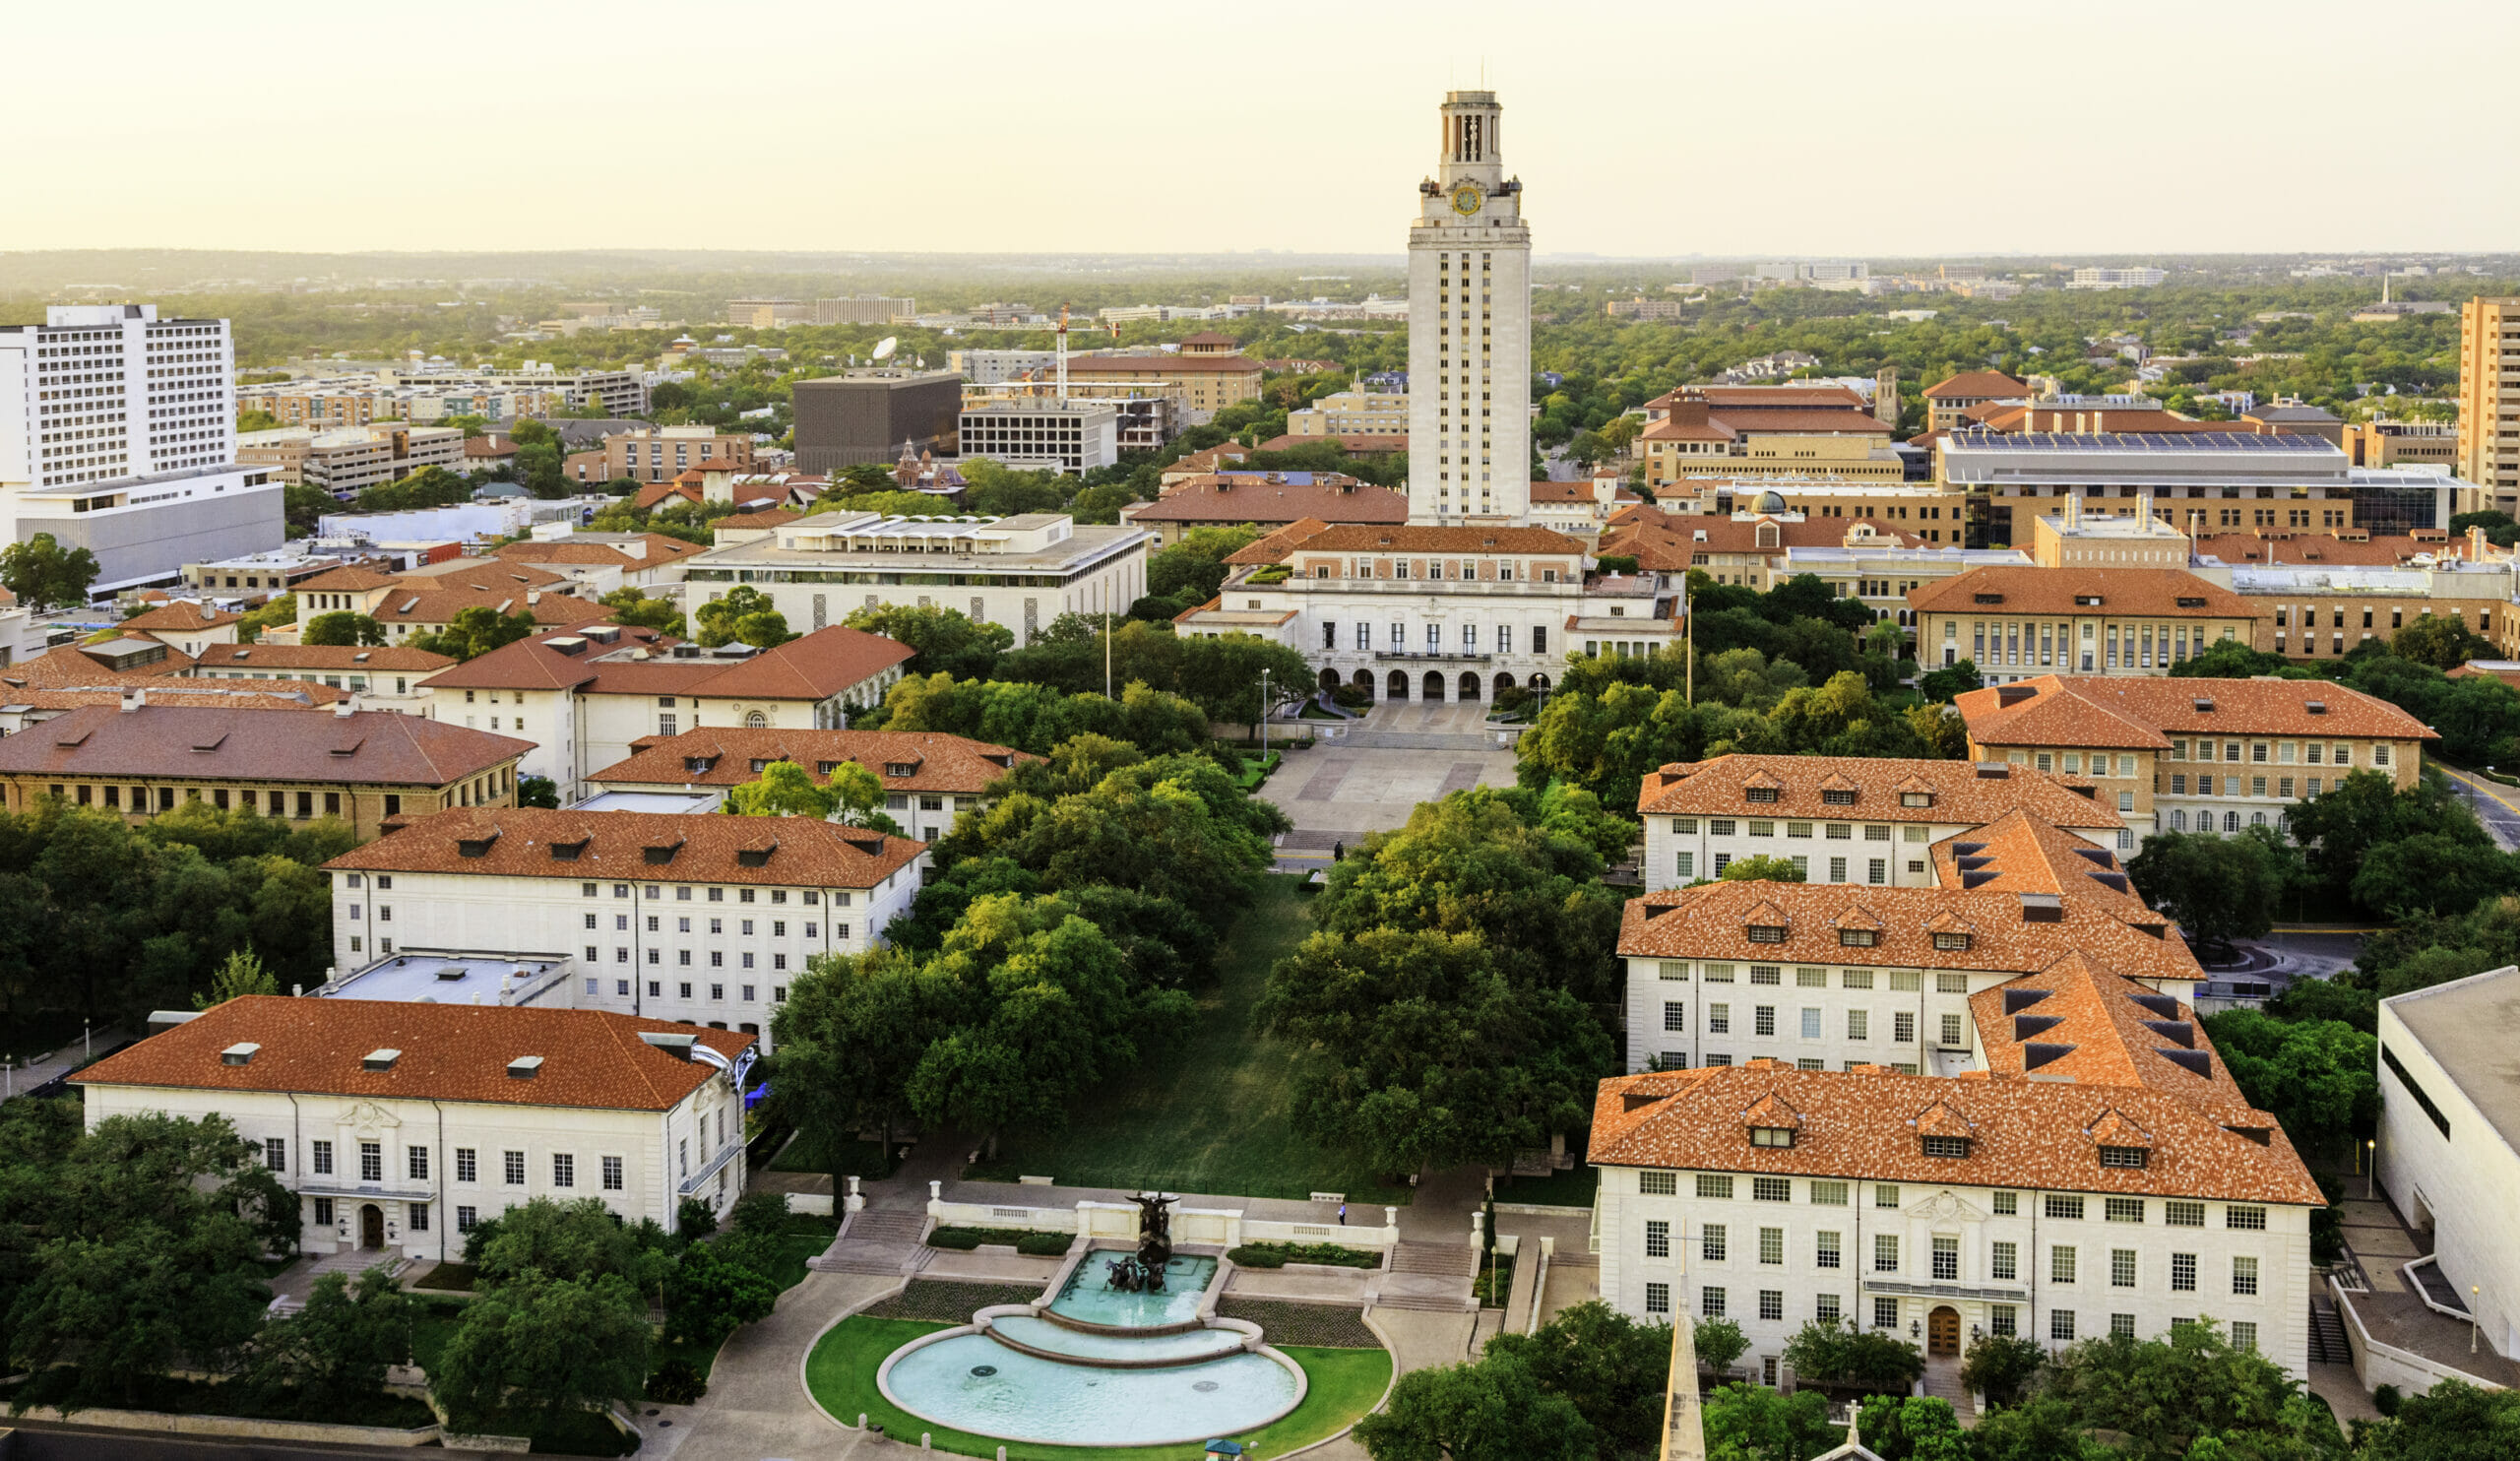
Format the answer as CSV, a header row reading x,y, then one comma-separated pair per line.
x,y
591,1059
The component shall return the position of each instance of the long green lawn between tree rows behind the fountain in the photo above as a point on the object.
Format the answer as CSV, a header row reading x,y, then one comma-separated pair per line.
x,y
1208,1115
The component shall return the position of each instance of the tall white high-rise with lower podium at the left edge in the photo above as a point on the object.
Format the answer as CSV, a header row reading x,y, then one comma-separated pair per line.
x,y
120,435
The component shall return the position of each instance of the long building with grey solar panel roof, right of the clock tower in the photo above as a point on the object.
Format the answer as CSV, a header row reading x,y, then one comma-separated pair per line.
x,y
2201,482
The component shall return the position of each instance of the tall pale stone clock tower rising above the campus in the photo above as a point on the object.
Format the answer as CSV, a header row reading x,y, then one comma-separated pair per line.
x,y
1470,331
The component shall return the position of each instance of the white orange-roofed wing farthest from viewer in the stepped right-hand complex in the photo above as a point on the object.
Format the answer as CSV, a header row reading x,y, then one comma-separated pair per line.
x,y
1848,820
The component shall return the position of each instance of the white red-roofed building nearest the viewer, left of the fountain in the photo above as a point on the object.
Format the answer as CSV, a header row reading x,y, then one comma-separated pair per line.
x,y
404,1125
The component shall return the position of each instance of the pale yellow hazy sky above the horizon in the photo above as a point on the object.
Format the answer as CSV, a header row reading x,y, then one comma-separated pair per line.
x,y
1798,127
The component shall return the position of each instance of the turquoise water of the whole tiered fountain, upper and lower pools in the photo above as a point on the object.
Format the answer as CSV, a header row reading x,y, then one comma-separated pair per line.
x,y
1097,1367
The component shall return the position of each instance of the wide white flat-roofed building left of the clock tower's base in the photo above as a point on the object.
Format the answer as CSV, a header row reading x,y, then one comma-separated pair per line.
x,y
1017,571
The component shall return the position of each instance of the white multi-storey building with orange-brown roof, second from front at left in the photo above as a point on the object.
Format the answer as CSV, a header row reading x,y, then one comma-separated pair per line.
x,y
682,918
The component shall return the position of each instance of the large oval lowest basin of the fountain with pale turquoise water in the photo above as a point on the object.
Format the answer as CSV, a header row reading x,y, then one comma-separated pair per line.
x,y
1062,1404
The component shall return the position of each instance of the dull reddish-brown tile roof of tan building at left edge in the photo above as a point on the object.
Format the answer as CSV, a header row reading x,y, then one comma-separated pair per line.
x,y
203,744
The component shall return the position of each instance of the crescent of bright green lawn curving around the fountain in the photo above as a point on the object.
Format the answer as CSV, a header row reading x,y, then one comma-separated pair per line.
x,y
840,1374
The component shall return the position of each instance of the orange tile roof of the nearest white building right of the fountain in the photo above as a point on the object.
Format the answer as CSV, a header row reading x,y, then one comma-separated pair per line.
x,y
2022,1135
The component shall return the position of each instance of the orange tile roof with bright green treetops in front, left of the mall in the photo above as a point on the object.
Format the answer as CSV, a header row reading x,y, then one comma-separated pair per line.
x,y
727,757
